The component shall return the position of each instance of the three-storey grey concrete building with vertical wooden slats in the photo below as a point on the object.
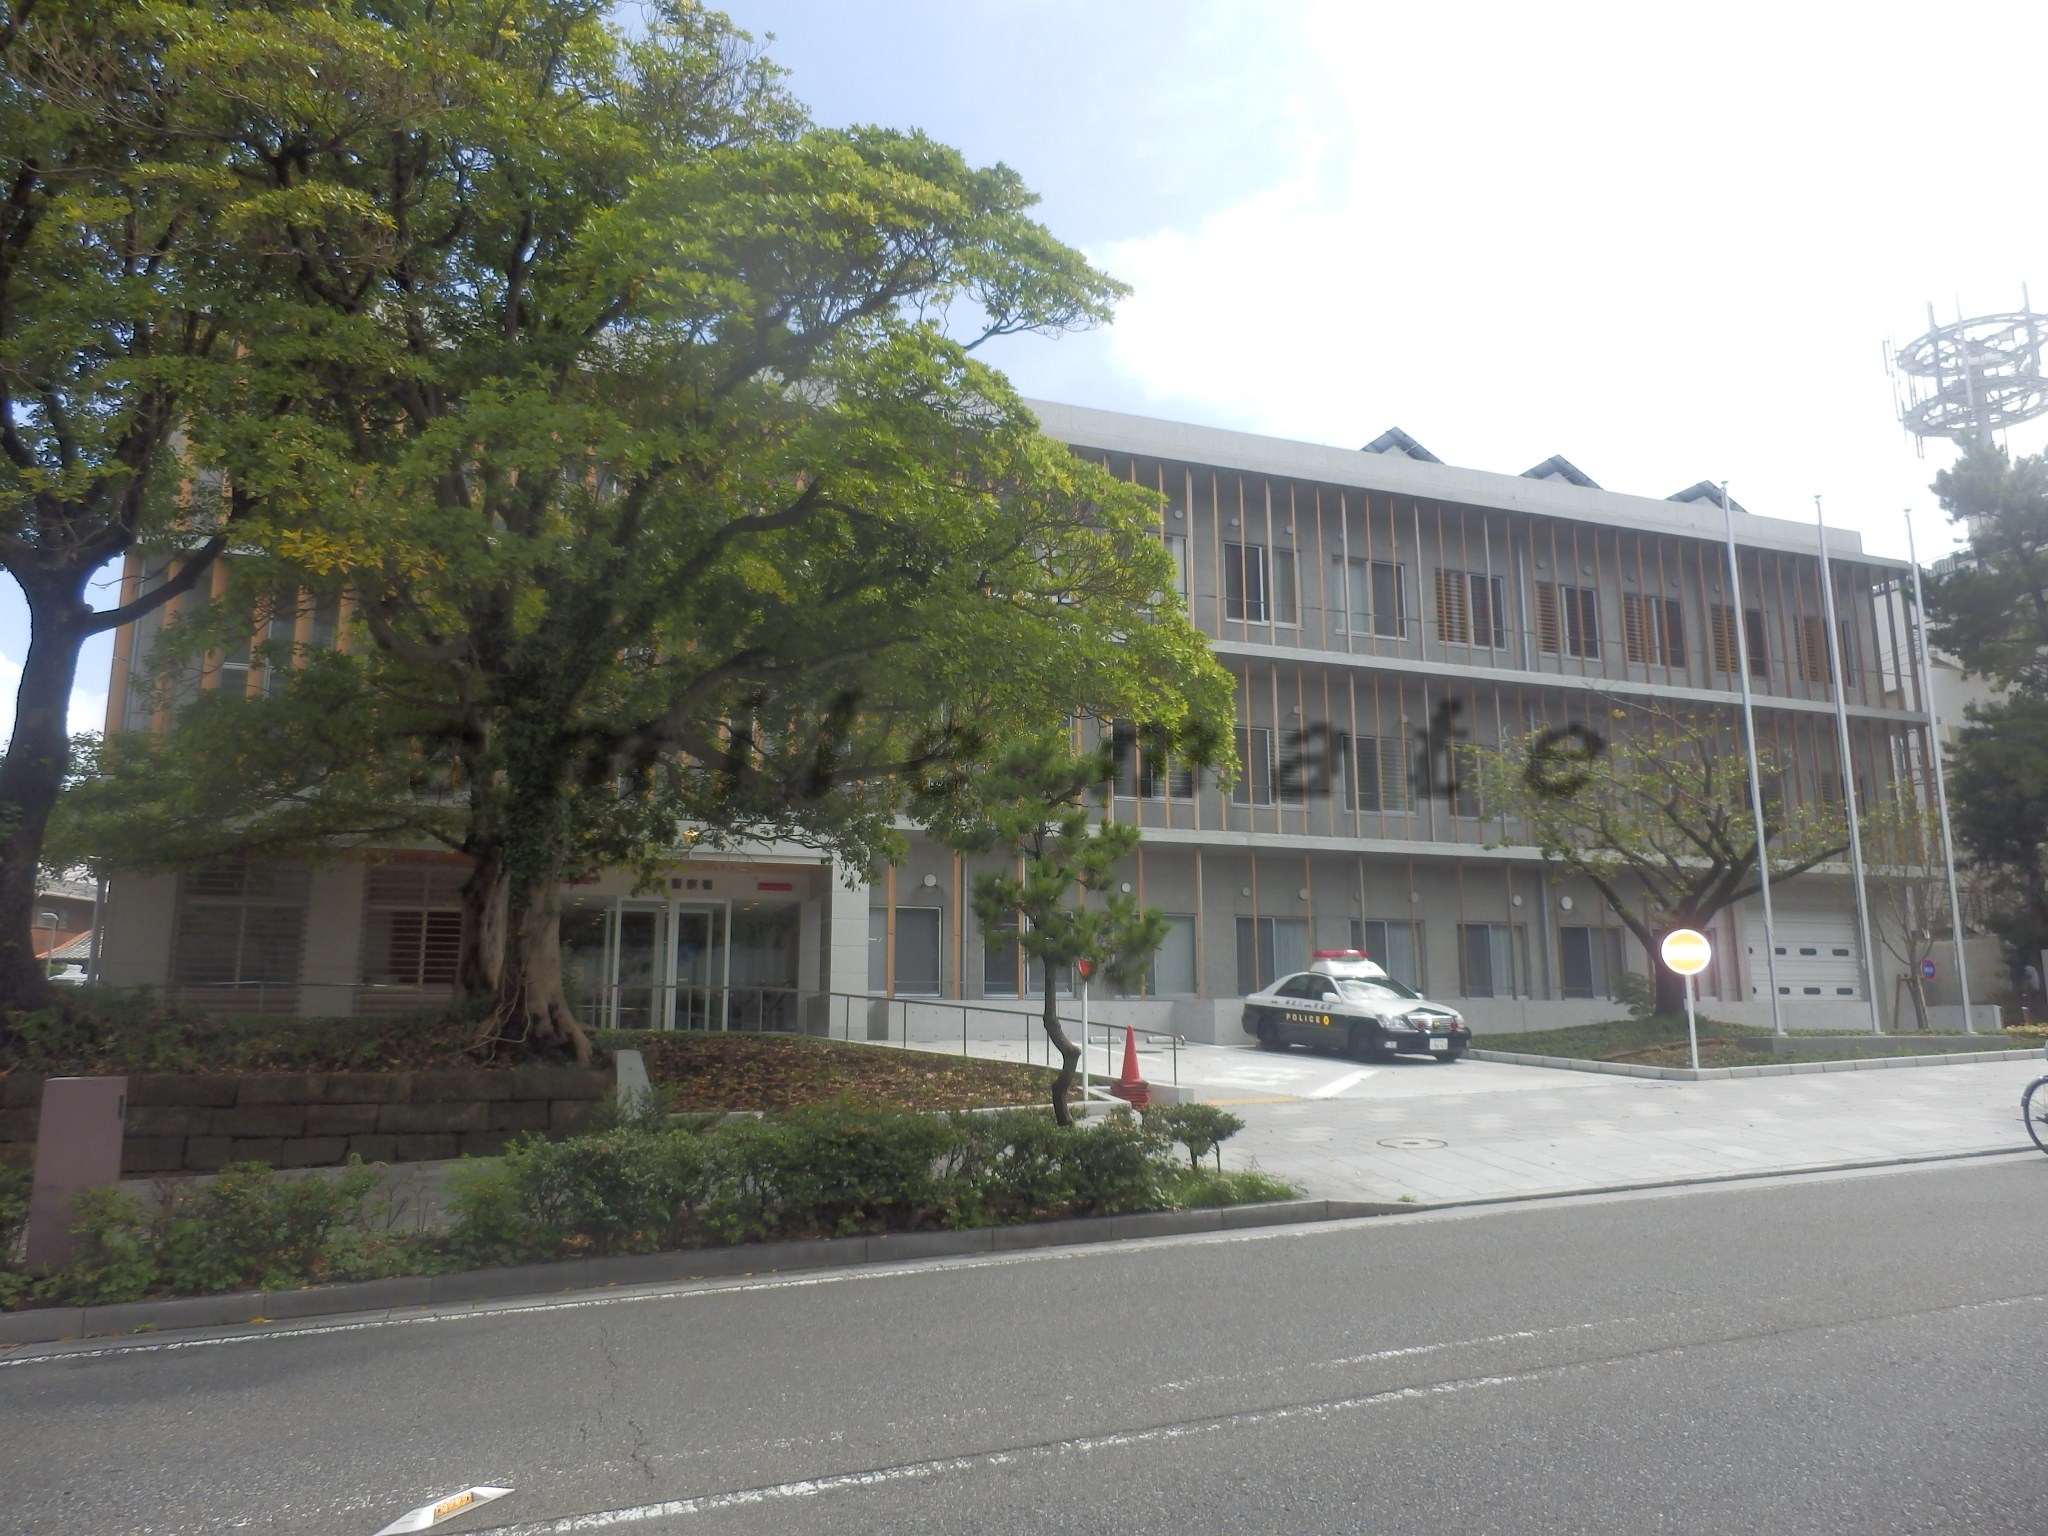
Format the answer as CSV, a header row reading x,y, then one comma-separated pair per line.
x,y
1375,607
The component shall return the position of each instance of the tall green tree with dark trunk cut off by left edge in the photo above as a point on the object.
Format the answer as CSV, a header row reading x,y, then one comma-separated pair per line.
x,y
126,275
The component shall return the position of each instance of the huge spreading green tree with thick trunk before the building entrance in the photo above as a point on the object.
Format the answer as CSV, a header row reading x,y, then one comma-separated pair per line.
x,y
677,490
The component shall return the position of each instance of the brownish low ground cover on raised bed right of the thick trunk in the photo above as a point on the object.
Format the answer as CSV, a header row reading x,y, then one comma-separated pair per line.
x,y
697,1072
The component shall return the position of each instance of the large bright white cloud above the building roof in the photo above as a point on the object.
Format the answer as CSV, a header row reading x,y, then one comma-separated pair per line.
x,y
1627,237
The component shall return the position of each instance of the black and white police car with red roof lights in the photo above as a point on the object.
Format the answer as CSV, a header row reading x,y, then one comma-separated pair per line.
x,y
1347,1002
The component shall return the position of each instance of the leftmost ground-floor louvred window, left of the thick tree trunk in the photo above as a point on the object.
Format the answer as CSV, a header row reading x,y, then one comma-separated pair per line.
x,y
243,929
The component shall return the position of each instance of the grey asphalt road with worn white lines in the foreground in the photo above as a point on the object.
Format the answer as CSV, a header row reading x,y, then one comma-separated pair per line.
x,y
1824,1355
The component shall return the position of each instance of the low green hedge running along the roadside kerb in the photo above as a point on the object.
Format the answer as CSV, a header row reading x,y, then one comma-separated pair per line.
x,y
640,1187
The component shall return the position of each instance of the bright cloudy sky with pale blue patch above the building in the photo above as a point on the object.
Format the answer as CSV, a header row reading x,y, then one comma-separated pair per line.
x,y
1666,243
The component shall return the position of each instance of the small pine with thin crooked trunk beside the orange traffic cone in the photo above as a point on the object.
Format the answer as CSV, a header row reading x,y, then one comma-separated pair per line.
x,y
1033,808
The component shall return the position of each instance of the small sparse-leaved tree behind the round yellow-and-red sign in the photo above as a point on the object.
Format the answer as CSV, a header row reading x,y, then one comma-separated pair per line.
x,y
1656,818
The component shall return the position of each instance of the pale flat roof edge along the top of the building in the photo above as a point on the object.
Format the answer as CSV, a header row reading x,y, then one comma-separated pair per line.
x,y
1402,476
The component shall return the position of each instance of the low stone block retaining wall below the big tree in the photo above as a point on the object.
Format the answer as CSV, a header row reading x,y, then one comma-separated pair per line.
x,y
196,1125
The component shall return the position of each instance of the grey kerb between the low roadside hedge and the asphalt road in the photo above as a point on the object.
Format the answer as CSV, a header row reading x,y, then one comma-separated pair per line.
x,y
54,1324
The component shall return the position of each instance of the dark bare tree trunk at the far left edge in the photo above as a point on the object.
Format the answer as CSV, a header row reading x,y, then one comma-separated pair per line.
x,y
32,775
